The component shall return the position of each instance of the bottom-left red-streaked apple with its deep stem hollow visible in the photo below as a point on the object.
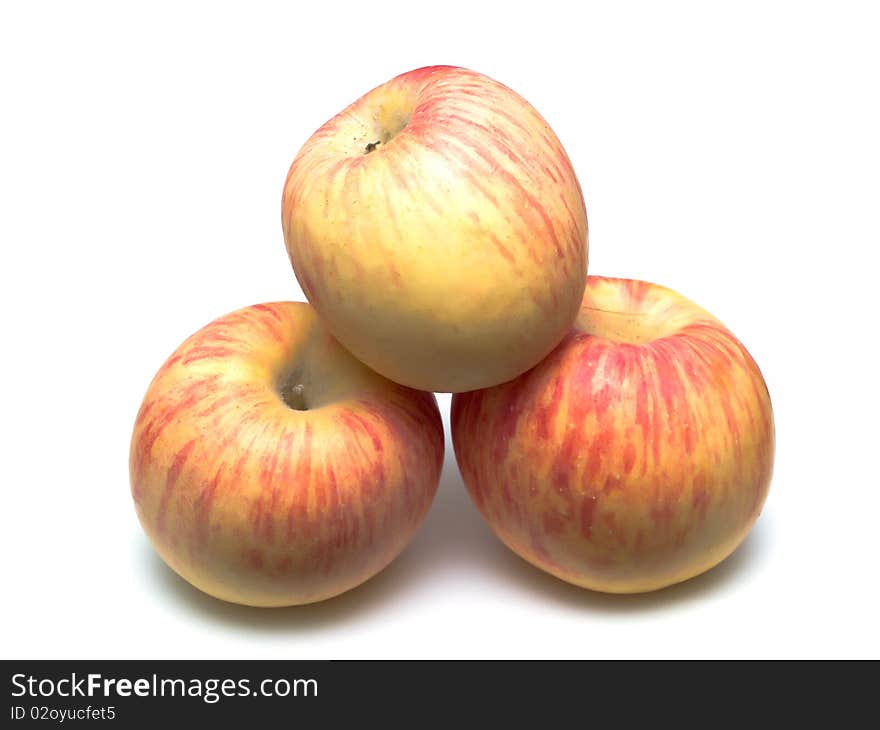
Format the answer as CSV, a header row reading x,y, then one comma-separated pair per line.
x,y
271,468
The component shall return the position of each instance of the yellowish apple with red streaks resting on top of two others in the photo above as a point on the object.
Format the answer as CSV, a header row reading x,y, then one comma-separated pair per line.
x,y
438,228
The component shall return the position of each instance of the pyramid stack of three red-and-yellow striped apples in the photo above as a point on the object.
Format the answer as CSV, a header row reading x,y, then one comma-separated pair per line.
x,y
610,431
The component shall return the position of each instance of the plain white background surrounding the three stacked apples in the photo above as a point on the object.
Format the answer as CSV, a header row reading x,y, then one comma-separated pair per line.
x,y
728,150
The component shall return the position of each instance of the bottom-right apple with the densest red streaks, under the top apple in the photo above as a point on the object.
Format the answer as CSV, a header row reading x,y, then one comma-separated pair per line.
x,y
636,456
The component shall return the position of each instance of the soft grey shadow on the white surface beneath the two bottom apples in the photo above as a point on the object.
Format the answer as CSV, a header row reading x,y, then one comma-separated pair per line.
x,y
453,538
